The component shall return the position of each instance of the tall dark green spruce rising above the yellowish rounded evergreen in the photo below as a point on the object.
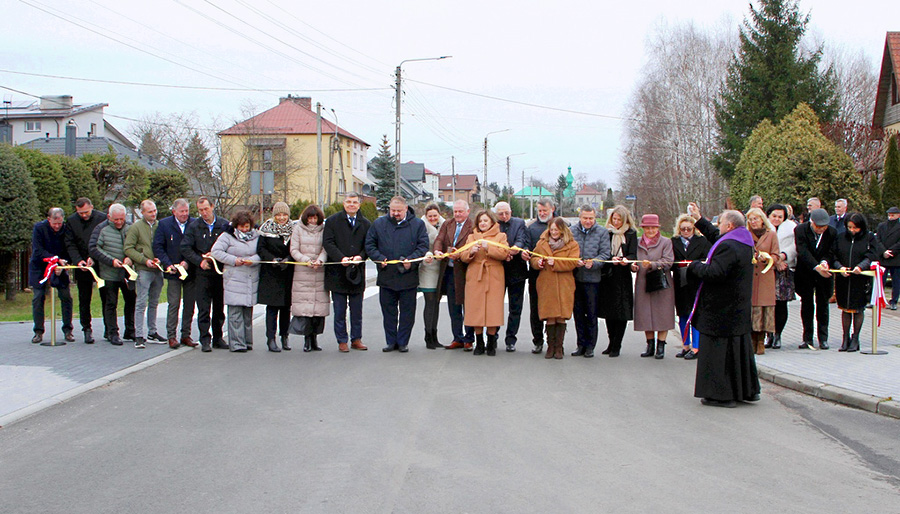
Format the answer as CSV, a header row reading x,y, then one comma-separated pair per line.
x,y
768,78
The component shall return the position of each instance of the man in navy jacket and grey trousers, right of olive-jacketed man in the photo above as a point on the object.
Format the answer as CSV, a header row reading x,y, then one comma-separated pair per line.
x,y
167,248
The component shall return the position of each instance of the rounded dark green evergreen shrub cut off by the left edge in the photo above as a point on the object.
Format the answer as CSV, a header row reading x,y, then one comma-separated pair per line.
x,y
18,212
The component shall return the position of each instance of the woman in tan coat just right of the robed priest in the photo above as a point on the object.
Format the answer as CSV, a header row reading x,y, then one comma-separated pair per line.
x,y
766,239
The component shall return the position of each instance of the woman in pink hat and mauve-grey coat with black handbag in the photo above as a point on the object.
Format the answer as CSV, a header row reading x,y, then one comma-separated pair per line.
x,y
654,296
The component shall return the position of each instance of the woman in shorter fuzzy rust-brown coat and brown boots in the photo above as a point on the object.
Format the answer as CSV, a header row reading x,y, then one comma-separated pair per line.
x,y
556,282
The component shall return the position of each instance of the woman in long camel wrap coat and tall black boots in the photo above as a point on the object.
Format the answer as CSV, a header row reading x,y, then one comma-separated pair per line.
x,y
485,281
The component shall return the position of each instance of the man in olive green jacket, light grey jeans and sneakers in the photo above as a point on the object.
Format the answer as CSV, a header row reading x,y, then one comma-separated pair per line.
x,y
139,248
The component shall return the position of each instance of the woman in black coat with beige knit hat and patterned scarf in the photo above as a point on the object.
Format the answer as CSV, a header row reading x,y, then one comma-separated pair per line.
x,y
275,279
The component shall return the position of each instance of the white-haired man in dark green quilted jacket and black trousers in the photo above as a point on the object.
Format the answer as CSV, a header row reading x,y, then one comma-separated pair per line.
x,y
107,247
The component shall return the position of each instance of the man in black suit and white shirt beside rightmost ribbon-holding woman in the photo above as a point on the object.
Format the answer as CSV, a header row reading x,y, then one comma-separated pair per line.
x,y
814,284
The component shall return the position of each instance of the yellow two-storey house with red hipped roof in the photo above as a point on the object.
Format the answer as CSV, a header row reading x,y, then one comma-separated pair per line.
x,y
283,139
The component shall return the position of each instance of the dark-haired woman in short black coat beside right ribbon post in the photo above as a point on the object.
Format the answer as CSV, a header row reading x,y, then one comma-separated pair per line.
x,y
853,251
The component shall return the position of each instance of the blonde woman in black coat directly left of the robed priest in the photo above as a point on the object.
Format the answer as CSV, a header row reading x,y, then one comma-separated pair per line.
x,y
688,244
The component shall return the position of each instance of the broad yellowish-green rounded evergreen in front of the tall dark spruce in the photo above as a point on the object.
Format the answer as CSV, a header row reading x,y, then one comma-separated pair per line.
x,y
793,161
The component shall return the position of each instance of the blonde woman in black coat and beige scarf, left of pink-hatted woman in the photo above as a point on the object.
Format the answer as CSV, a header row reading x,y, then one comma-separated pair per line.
x,y
617,302
